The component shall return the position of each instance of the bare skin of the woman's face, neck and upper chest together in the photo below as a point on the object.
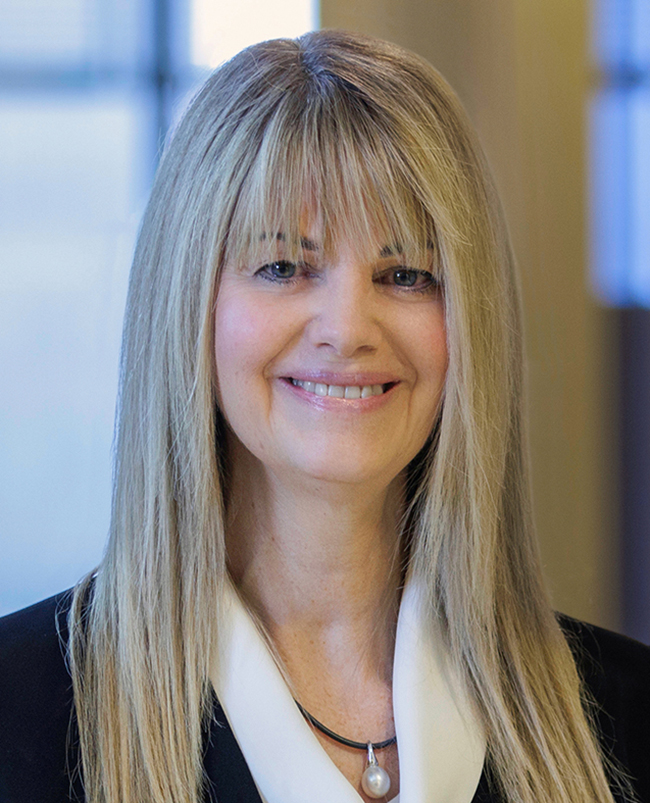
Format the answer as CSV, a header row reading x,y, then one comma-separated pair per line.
x,y
317,484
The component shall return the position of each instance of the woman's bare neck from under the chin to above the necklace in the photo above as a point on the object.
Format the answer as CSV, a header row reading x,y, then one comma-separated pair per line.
x,y
315,558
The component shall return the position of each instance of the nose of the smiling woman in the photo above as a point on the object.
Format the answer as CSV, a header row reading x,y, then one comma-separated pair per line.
x,y
346,320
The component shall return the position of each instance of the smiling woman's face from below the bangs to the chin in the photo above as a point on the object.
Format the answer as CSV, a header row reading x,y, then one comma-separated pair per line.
x,y
332,368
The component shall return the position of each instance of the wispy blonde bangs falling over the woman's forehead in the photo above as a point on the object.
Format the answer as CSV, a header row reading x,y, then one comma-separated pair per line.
x,y
325,174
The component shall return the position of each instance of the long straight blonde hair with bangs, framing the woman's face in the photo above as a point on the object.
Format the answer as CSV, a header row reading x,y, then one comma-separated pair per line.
x,y
375,139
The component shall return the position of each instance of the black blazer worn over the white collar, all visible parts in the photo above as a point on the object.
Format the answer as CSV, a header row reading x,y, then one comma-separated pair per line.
x,y
38,765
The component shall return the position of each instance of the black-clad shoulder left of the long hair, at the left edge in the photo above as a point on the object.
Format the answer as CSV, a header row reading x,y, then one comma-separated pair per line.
x,y
35,703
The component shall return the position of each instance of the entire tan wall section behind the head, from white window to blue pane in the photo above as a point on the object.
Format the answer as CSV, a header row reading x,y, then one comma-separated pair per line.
x,y
521,69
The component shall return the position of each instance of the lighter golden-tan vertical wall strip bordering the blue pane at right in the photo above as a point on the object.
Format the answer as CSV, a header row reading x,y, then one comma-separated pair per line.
x,y
567,337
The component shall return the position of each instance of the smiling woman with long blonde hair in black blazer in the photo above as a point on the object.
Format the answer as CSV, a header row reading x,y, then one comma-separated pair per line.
x,y
321,488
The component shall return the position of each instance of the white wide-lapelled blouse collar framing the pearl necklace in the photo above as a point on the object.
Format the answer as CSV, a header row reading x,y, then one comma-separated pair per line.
x,y
441,741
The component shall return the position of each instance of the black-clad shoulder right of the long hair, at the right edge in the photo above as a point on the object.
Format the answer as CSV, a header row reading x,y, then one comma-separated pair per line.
x,y
616,673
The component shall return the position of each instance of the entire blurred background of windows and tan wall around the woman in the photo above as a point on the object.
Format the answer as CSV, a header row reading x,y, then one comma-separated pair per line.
x,y
560,94
